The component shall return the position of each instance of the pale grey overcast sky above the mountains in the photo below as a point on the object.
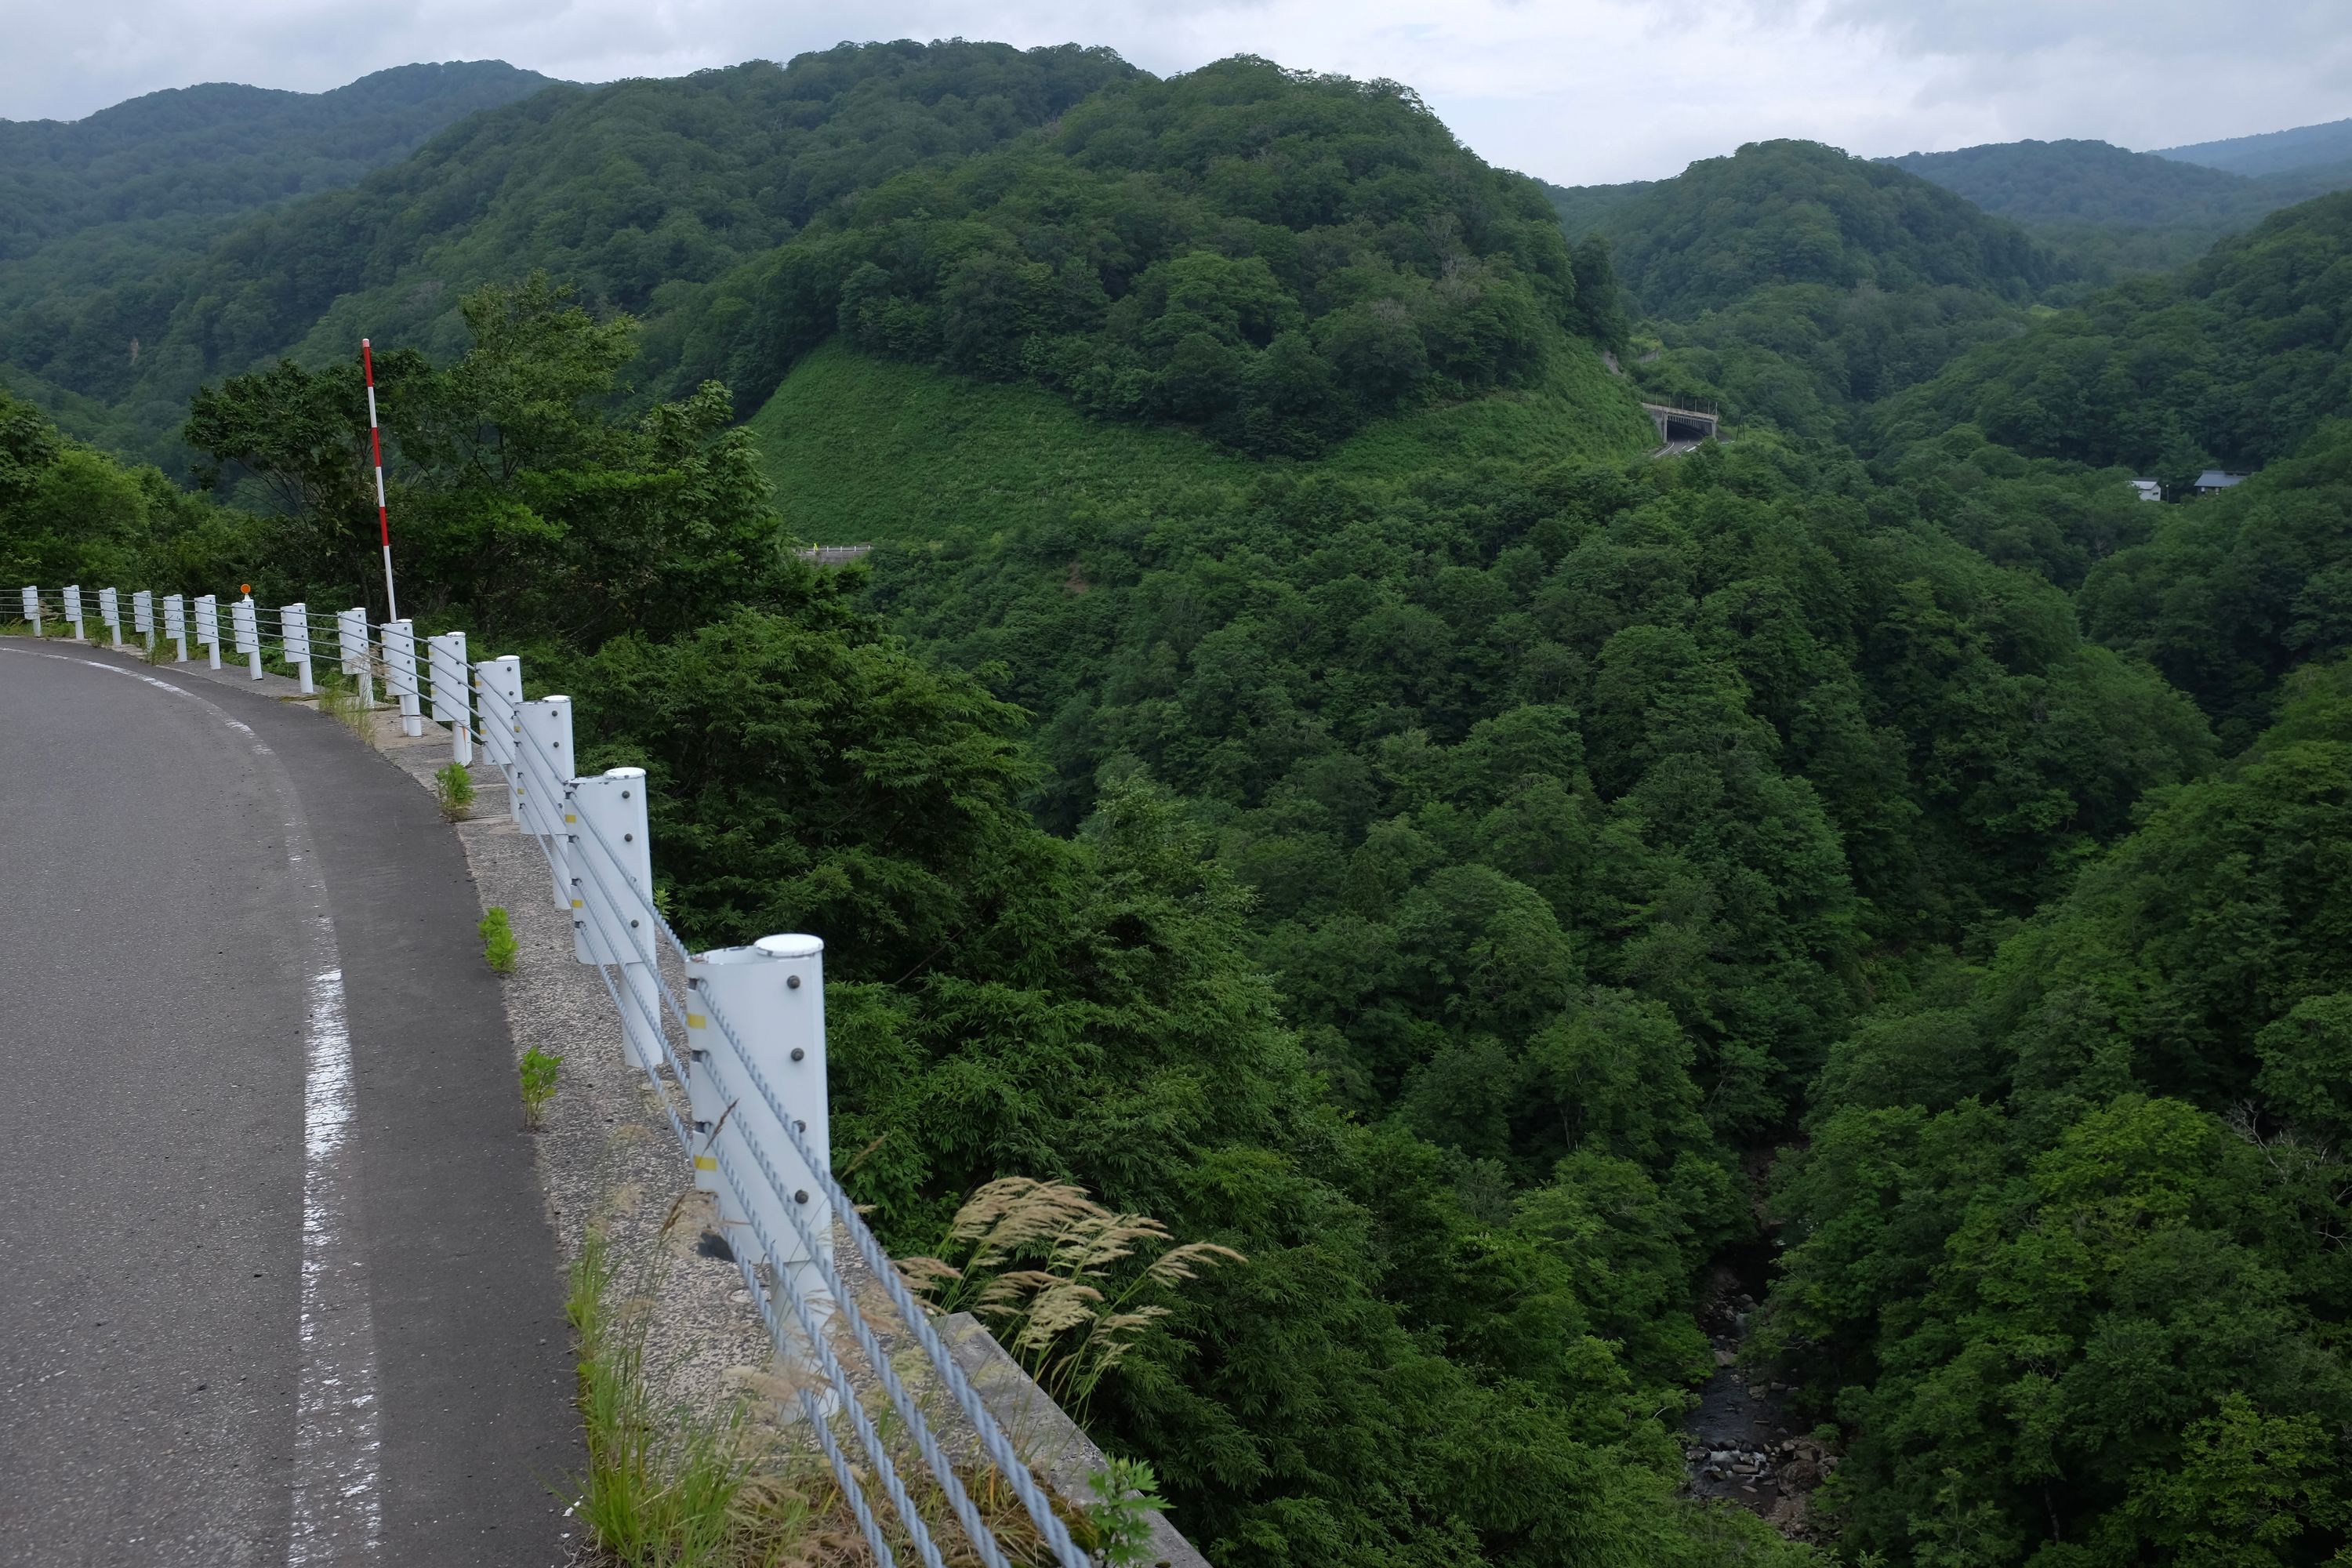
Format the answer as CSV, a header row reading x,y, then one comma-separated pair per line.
x,y
1572,91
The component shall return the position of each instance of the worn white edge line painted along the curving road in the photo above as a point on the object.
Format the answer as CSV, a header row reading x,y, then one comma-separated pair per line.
x,y
338,1440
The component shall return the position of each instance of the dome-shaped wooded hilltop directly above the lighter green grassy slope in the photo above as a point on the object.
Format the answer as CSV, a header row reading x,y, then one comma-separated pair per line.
x,y
1255,253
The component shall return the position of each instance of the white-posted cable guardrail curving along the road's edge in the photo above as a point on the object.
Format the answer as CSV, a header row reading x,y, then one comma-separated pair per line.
x,y
737,1064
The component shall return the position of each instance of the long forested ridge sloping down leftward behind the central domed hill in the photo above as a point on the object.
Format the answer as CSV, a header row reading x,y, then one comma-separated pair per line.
x,y
634,192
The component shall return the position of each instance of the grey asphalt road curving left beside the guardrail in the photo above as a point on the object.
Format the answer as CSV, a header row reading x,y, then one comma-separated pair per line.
x,y
276,1282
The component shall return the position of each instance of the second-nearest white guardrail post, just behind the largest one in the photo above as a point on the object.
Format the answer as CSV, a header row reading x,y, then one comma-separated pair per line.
x,y
613,883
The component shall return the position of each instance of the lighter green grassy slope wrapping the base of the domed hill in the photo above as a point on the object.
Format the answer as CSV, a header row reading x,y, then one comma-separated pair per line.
x,y
867,450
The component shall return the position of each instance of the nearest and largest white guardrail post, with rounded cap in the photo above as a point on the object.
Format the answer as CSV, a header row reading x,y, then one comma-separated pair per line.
x,y
775,998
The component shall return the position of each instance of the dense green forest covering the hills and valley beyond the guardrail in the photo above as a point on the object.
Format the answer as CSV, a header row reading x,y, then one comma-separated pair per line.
x,y
1299,768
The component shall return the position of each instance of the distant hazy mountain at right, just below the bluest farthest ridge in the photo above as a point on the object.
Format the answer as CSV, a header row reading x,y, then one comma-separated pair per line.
x,y
2116,210
